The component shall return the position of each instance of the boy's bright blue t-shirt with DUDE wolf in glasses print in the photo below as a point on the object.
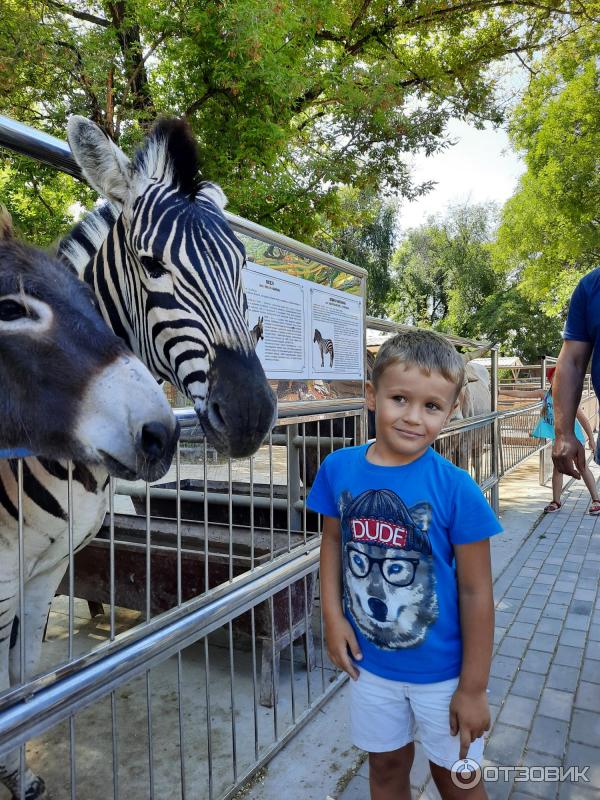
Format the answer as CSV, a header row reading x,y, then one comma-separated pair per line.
x,y
399,525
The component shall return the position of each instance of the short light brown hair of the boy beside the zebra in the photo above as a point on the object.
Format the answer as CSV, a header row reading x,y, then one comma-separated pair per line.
x,y
427,350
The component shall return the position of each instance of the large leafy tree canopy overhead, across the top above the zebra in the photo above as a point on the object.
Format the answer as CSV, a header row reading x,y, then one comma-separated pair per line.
x,y
289,101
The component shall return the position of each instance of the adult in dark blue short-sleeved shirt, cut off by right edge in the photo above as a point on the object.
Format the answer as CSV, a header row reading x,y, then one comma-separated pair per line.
x,y
581,341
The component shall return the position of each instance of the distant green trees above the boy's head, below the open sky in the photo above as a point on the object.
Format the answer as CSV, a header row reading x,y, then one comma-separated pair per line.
x,y
445,279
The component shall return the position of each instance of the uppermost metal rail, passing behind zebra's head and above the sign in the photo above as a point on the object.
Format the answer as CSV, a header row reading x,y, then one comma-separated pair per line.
x,y
56,153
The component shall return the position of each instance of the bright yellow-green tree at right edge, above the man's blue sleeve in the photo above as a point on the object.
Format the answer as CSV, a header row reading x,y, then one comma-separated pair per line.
x,y
550,232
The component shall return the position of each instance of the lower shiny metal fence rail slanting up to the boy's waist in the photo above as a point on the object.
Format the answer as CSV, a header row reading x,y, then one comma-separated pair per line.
x,y
37,706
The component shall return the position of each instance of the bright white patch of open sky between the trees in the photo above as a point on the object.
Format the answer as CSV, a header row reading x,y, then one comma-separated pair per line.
x,y
480,167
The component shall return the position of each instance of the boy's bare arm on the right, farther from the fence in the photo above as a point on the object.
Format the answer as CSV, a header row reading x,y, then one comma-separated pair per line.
x,y
469,711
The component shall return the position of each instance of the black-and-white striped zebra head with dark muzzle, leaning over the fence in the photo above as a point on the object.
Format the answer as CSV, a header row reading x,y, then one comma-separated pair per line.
x,y
167,270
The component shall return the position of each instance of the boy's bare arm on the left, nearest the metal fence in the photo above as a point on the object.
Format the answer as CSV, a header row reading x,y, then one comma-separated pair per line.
x,y
338,631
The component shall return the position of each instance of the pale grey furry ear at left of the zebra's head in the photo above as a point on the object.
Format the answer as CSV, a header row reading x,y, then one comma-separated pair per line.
x,y
106,168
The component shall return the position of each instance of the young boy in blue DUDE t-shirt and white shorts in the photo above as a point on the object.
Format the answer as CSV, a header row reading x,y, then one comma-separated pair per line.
x,y
405,542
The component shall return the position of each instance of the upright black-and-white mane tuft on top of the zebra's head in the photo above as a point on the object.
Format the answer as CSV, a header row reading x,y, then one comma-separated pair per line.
x,y
170,154
